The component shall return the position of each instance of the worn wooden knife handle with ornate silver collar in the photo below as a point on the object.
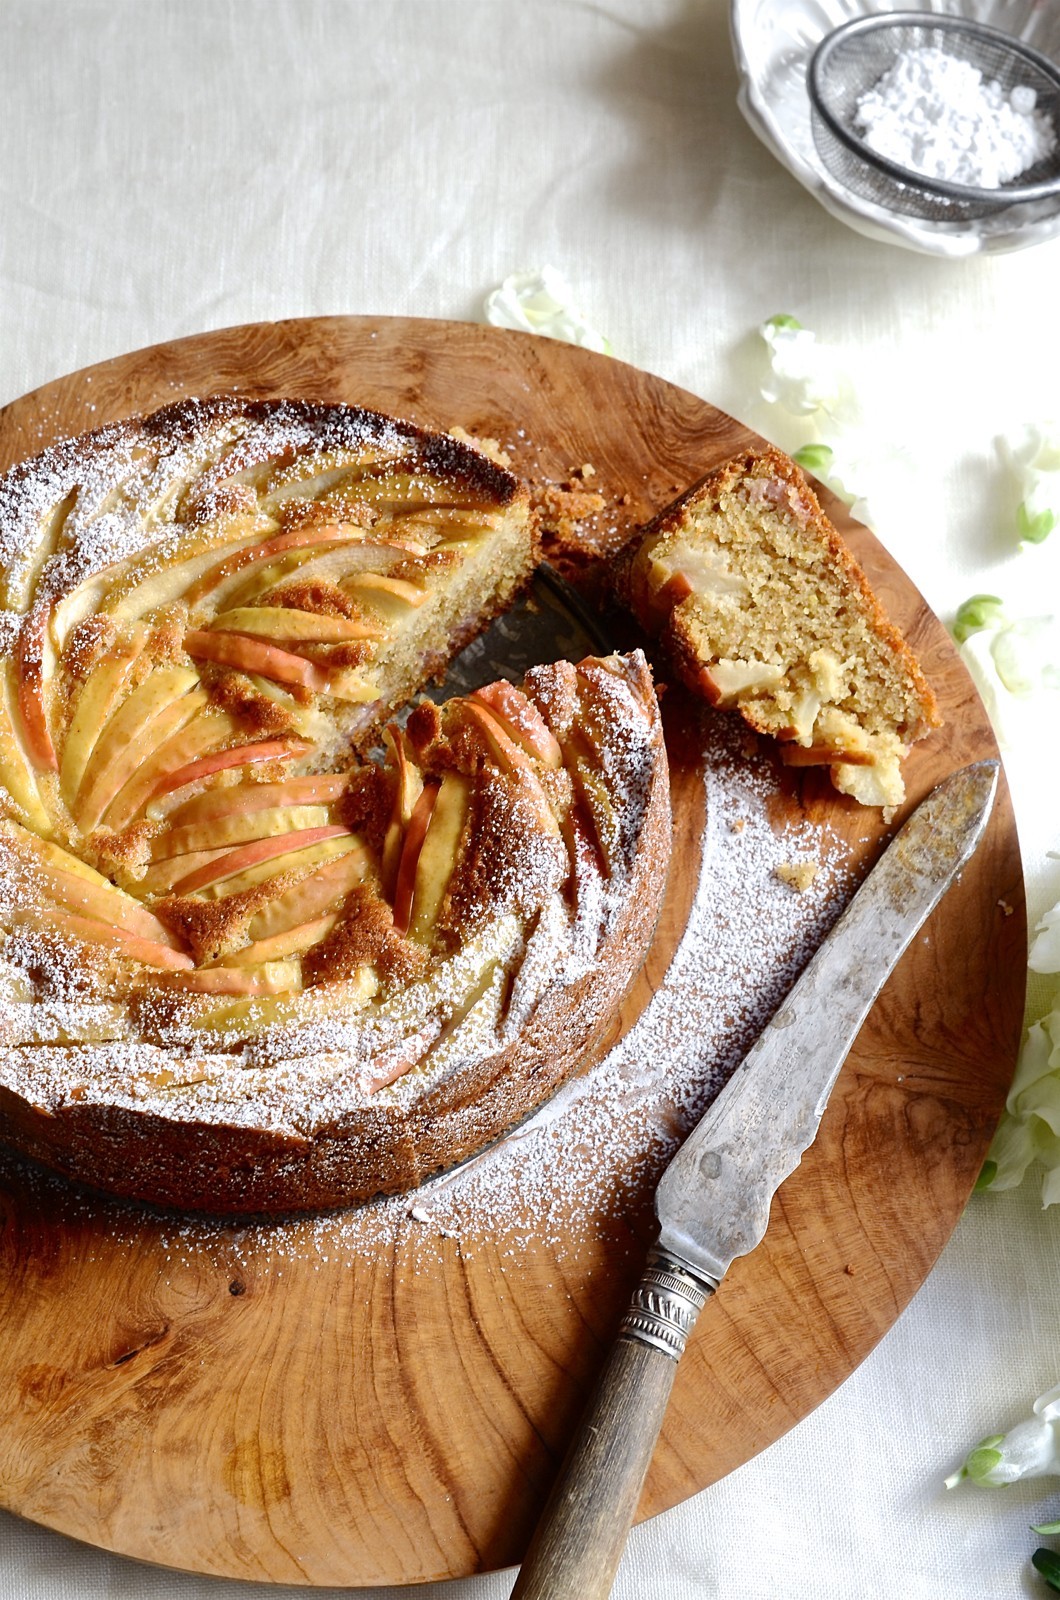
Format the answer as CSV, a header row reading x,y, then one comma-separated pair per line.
x,y
579,1543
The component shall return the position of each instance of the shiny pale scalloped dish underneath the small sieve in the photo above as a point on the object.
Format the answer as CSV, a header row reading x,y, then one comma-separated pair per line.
x,y
774,42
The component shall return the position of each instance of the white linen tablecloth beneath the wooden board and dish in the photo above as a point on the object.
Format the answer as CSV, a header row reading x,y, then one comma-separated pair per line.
x,y
177,166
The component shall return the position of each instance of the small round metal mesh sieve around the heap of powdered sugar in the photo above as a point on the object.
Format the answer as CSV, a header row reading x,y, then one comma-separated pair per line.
x,y
853,60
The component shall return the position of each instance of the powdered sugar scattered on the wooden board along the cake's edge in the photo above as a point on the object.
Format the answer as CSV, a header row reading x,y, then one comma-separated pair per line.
x,y
596,1151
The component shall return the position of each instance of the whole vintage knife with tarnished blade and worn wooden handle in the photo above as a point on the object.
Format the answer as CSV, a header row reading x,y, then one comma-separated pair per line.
x,y
715,1198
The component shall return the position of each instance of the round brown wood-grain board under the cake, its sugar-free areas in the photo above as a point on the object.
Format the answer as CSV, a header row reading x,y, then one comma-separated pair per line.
x,y
268,1404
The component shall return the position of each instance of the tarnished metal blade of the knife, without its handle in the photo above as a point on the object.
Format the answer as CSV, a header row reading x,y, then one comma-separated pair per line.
x,y
715,1198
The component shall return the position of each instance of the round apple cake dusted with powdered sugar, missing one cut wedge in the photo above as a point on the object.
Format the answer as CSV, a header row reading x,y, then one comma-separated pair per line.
x,y
243,969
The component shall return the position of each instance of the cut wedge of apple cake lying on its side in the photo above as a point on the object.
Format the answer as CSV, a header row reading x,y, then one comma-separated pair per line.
x,y
763,609
